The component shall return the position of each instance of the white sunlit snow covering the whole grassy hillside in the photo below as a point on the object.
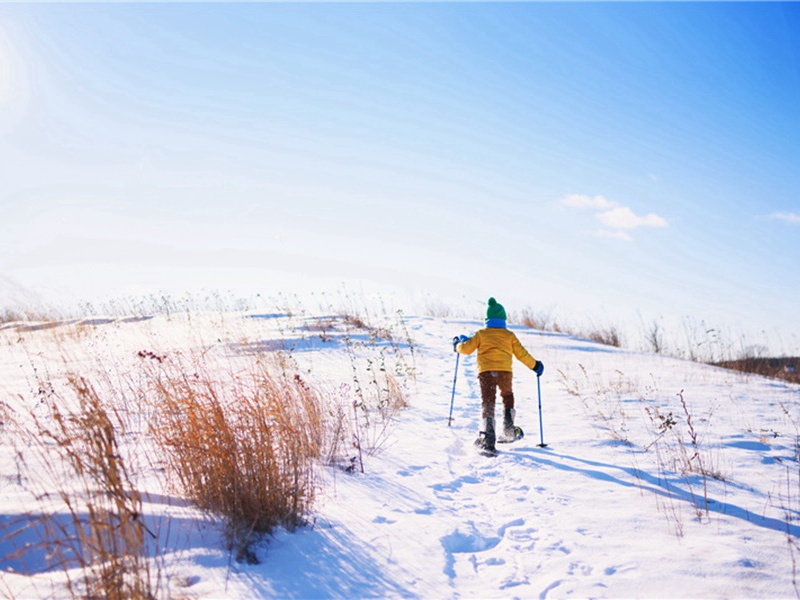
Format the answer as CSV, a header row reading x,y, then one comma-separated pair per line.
x,y
614,505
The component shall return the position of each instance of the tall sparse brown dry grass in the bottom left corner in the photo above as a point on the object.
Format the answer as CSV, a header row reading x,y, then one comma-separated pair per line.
x,y
98,527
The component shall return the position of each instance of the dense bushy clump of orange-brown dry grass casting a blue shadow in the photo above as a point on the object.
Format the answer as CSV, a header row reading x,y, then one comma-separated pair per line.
x,y
241,444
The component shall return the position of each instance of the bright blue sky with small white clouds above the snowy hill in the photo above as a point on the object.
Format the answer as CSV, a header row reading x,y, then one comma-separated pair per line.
x,y
618,161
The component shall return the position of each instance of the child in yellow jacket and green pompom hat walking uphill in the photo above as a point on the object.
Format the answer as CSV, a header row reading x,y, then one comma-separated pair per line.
x,y
496,346
